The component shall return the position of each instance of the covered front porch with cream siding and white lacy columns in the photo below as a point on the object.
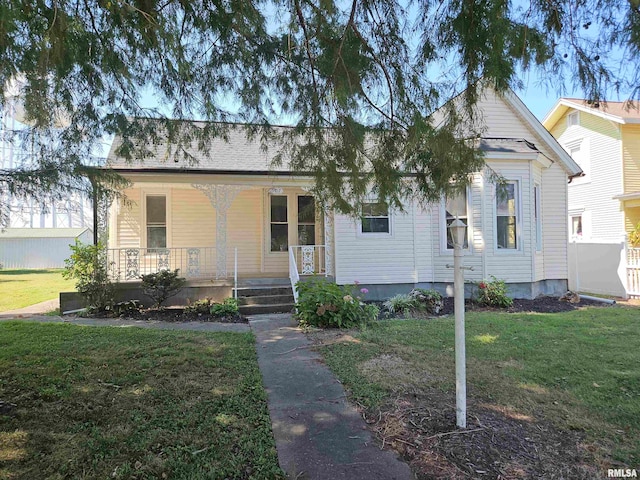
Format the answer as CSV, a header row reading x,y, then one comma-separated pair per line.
x,y
219,230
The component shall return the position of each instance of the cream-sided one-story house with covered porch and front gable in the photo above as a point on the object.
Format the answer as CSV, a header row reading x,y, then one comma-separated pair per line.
x,y
197,218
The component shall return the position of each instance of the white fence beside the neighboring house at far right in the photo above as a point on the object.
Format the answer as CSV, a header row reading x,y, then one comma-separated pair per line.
x,y
600,268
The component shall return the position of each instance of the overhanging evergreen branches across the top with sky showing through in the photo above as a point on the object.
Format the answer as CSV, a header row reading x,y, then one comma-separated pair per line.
x,y
360,81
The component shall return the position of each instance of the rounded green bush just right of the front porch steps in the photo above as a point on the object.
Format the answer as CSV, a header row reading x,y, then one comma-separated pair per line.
x,y
328,305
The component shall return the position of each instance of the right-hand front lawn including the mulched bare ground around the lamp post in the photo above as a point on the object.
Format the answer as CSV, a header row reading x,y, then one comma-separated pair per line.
x,y
554,382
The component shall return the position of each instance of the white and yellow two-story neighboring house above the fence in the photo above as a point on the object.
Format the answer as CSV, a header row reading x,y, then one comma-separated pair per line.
x,y
604,139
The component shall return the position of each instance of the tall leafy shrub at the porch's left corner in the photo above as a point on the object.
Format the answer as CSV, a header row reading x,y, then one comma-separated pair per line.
x,y
88,266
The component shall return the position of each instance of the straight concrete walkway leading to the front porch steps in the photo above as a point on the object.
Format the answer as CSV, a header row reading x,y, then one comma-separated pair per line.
x,y
318,434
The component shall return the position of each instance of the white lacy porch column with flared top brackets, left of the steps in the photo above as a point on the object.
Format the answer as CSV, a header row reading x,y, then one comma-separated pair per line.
x,y
221,197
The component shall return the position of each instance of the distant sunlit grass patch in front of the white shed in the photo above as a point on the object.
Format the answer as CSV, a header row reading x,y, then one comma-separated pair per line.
x,y
21,288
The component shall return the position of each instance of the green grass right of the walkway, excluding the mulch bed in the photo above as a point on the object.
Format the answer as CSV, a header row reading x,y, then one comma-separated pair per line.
x,y
578,370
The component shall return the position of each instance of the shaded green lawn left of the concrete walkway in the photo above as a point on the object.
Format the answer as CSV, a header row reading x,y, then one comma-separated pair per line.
x,y
100,402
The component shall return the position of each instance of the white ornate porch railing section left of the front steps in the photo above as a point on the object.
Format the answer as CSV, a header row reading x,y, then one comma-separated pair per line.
x,y
193,262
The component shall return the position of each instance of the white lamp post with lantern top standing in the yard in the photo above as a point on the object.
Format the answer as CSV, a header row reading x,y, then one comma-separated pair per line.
x,y
458,231
